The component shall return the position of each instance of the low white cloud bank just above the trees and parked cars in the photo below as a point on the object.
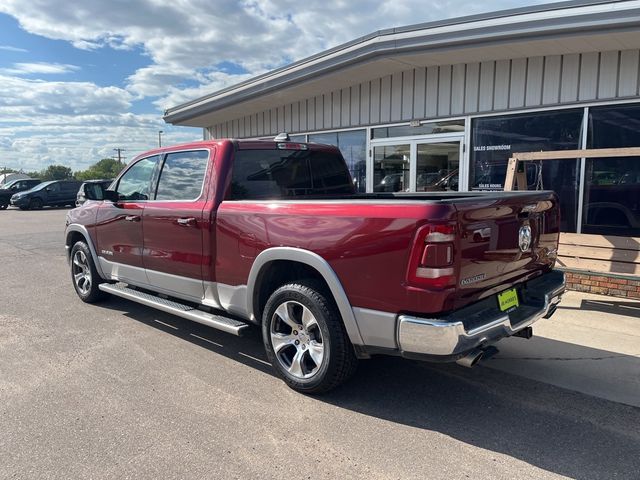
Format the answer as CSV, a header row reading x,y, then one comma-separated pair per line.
x,y
73,123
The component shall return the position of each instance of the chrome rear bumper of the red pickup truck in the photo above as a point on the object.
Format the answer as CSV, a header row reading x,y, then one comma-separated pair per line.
x,y
479,324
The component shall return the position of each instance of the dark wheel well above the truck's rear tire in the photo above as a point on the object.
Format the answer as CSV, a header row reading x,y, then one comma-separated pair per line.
x,y
280,272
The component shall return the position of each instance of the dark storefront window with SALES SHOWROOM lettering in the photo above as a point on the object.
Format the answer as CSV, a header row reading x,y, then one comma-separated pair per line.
x,y
494,139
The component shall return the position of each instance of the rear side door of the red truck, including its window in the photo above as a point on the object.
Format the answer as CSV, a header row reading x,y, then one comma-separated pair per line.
x,y
174,225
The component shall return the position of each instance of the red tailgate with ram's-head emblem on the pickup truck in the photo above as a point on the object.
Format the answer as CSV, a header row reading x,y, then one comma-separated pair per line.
x,y
504,239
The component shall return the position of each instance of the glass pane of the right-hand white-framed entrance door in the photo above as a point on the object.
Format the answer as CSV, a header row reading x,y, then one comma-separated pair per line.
x,y
438,165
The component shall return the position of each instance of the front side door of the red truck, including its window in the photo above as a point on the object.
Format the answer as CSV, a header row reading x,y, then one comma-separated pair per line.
x,y
119,224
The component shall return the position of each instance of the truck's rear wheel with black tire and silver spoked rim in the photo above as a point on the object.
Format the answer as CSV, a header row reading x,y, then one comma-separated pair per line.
x,y
338,361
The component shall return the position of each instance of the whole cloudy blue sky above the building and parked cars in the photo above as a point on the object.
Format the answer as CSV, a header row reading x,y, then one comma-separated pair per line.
x,y
80,79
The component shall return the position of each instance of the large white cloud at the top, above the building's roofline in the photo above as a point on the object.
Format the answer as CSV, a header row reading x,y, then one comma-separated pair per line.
x,y
187,39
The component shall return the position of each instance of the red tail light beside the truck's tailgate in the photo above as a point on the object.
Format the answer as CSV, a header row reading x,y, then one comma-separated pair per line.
x,y
432,257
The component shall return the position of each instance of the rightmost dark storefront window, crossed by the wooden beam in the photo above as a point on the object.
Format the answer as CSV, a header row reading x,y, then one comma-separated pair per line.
x,y
612,185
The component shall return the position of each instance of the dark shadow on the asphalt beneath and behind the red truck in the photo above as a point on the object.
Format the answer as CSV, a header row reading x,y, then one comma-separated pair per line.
x,y
558,430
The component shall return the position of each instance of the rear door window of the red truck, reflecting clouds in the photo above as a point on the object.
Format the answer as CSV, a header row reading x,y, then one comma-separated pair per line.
x,y
182,176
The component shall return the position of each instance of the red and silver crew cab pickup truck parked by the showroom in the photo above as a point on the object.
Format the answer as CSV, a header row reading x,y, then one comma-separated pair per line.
x,y
231,233
